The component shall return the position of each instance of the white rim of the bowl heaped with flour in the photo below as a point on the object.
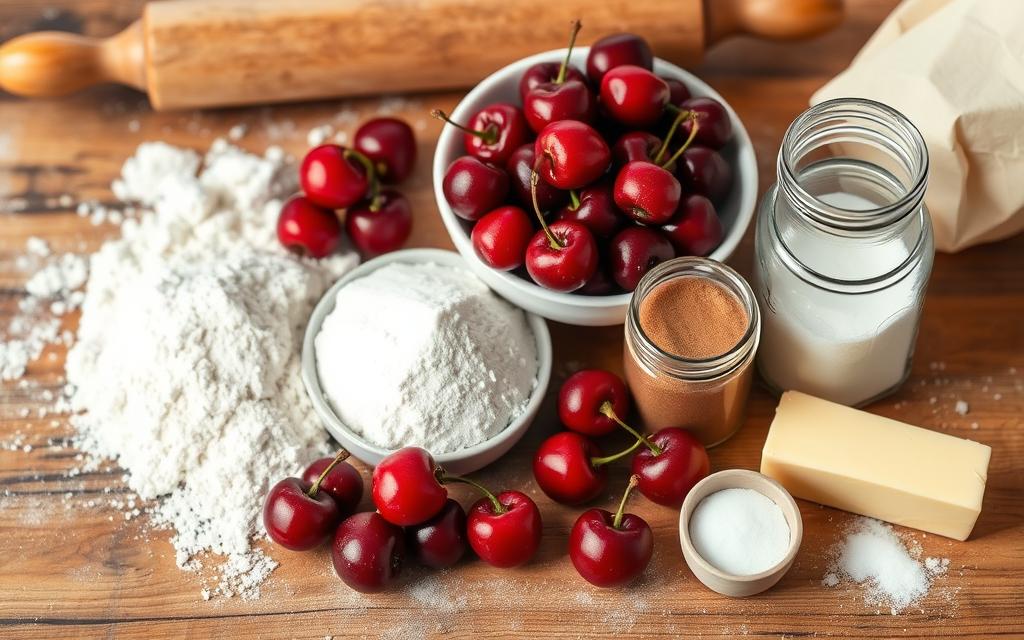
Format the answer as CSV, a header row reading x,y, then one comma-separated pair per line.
x,y
326,305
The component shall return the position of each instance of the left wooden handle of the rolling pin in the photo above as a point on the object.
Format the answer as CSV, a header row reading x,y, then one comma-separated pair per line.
x,y
52,64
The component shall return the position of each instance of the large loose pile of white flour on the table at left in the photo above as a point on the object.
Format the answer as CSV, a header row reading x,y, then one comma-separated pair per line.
x,y
186,370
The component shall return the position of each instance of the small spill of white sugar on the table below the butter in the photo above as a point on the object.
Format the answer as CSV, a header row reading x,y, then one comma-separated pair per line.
x,y
873,556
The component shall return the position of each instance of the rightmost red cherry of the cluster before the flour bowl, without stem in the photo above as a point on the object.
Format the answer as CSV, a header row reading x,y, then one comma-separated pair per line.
x,y
508,537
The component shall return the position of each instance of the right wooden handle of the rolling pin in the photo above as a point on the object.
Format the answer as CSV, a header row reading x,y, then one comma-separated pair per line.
x,y
775,20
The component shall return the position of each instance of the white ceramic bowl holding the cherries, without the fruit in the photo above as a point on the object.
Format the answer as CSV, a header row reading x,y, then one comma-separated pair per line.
x,y
503,87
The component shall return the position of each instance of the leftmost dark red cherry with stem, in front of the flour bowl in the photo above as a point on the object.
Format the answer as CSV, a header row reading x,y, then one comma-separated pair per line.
x,y
300,517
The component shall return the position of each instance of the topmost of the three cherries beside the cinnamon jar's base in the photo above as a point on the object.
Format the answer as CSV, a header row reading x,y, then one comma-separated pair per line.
x,y
583,398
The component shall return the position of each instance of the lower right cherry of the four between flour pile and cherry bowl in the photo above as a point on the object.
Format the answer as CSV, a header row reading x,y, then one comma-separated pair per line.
x,y
380,227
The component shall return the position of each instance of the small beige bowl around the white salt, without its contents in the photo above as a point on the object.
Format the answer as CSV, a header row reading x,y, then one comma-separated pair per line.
x,y
712,577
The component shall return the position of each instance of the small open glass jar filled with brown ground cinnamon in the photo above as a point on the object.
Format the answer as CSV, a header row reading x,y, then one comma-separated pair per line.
x,y
692,335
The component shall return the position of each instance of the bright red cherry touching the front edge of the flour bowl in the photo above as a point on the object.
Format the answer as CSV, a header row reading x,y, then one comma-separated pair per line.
x,y
406,488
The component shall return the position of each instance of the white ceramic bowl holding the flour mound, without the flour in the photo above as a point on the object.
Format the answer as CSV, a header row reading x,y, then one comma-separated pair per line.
x,y
460,462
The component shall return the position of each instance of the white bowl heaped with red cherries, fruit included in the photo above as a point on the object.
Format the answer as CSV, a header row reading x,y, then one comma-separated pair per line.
x,y
566,177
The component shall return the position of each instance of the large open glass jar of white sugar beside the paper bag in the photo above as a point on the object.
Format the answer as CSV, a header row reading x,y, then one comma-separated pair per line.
x,y
844,250
